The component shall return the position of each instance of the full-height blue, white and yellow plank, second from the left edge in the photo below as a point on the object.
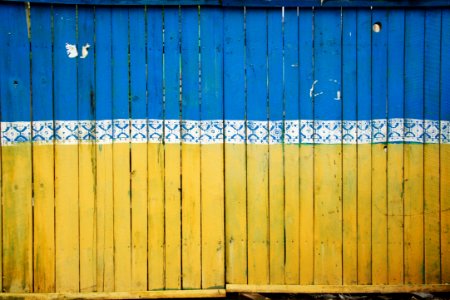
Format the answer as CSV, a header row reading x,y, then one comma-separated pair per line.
x,y
43,155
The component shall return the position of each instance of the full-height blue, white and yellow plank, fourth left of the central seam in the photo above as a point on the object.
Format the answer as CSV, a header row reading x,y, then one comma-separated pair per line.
x,y
155,149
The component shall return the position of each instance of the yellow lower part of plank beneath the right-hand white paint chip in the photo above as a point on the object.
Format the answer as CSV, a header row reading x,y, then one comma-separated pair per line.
x,y
87,182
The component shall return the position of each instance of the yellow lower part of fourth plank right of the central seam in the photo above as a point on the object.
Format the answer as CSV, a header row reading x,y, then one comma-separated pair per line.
x,y
292,213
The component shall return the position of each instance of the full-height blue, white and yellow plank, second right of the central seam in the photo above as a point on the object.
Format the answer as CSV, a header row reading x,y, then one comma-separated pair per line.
x,y
257,148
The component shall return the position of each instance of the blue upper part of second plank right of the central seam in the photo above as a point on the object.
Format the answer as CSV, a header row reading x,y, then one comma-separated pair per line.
x,y
256,65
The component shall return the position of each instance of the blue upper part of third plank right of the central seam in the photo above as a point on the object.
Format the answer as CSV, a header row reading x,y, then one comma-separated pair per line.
x,y
275,58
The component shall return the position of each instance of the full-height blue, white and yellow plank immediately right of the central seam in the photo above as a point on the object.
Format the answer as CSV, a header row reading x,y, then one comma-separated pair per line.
x,y
235,149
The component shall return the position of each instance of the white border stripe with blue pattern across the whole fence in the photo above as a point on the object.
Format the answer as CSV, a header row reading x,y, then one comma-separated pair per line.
x,y
229,131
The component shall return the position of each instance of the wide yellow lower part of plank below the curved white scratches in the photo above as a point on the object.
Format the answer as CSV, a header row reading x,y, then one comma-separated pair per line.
x,y
328,214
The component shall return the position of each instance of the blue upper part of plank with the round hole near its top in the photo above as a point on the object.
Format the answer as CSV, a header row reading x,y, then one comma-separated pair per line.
x,y
379,66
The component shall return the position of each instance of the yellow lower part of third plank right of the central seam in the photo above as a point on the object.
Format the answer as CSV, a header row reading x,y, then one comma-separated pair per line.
x,y
276,202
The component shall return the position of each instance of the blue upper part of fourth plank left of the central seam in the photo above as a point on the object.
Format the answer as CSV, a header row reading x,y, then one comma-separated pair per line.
x,y
155,63
